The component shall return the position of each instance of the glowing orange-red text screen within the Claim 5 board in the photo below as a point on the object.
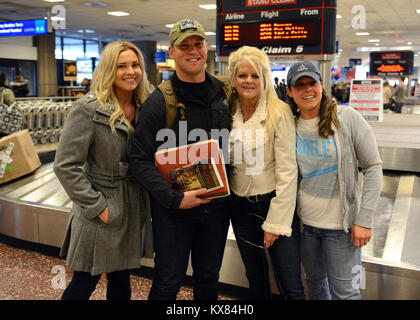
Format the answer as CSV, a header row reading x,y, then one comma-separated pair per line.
x,y
300,32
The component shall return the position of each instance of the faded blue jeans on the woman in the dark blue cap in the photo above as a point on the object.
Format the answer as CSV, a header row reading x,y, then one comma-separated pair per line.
x,y
330,262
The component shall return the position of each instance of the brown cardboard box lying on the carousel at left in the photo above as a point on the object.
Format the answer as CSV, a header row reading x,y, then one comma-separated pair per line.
x,y
17,156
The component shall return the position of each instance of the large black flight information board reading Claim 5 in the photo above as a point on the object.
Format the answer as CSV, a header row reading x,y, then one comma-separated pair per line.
x,y
278,27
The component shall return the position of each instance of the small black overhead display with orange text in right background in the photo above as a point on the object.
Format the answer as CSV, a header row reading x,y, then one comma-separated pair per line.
x,y
391,63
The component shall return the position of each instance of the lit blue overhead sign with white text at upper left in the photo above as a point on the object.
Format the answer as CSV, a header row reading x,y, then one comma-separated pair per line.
x,y
23,28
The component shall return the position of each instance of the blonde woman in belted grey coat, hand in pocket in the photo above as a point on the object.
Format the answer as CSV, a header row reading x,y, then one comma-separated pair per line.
x,y
109,207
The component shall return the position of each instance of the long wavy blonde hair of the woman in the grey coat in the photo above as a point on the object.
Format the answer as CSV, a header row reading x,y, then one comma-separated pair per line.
x,y
104,77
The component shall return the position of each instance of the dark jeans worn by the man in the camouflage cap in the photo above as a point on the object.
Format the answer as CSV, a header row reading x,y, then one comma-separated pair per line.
x,y
175,236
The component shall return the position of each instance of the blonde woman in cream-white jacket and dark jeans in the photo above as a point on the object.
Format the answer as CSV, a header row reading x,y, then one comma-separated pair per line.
x,y
263,179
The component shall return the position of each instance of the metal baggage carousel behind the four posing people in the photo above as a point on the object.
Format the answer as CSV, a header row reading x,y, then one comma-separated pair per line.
x,y
35,208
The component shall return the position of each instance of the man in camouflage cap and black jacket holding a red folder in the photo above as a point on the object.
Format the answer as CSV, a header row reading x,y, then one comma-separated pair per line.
x,y
182,222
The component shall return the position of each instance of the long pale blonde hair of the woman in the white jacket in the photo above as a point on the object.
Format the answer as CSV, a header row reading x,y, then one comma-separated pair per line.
x,y
260,62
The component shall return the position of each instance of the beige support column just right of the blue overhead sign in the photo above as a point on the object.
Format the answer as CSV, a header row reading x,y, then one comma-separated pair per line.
x,y
46,66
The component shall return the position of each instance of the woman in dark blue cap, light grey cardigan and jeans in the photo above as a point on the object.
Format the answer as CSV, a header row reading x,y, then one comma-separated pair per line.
x,y
331,142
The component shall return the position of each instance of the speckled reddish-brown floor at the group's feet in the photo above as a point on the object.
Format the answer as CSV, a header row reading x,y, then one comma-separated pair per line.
x,y
28,275
